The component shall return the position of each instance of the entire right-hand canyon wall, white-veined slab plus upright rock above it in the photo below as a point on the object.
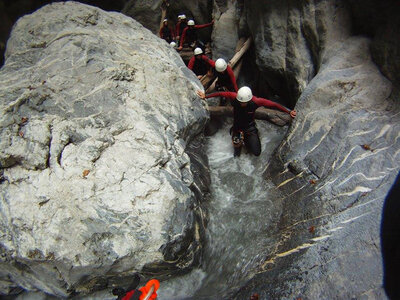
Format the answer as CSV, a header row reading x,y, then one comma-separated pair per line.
x,y
337,162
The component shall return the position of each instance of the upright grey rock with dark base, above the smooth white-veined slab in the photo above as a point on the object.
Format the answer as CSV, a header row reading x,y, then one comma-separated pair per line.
x,y
289,38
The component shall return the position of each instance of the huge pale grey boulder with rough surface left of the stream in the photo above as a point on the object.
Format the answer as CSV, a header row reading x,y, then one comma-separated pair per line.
x,y
96,181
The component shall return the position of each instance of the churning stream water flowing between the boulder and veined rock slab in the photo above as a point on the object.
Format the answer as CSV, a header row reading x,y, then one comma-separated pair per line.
x,y
241,215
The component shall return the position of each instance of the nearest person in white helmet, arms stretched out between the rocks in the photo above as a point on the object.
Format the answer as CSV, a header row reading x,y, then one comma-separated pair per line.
x,y
244,130
